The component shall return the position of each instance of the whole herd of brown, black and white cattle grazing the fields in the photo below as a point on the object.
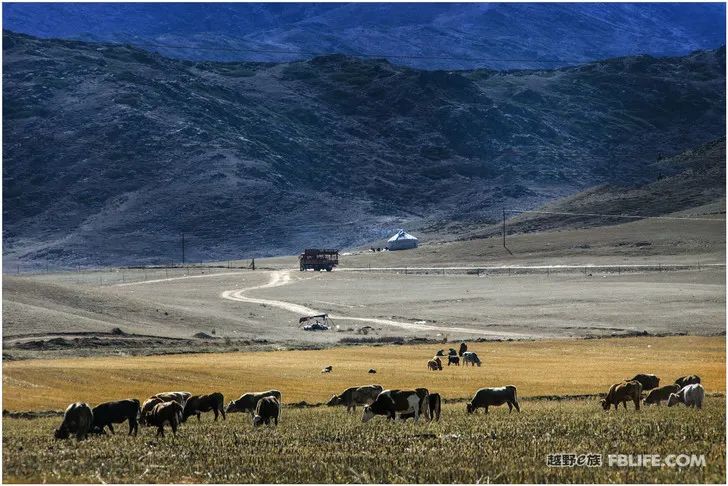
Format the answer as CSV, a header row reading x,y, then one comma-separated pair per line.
x,y
174,408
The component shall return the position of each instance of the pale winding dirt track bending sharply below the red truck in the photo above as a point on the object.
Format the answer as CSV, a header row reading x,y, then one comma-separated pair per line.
x,y
283,277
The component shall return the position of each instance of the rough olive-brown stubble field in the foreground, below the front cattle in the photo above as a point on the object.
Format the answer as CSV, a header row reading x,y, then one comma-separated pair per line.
x,y
327,445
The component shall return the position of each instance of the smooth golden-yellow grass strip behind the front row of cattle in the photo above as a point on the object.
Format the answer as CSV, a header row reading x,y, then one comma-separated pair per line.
x,y
553,367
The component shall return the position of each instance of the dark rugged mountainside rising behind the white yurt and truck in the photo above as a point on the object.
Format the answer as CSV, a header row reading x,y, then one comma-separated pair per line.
x,y
112,152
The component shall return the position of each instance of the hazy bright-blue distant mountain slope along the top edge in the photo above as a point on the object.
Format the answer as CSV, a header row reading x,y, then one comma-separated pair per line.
x,y
519,32
